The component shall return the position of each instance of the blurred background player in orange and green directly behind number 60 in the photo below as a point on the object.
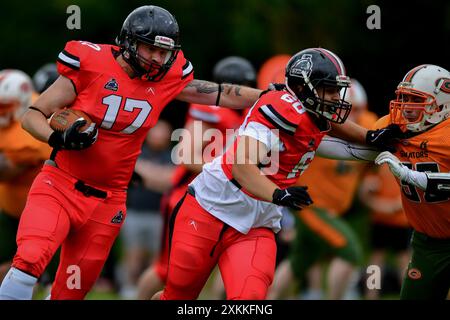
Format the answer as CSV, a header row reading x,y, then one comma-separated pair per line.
x,y
322,234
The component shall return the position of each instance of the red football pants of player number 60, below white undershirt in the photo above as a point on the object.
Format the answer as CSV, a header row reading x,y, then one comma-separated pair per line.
x,y
246,261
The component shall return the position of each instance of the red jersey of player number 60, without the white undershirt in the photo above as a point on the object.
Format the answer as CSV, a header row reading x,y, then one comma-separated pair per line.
x,y
298,136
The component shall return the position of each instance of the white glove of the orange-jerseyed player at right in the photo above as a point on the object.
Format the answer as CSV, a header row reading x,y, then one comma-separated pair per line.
x,y
403,173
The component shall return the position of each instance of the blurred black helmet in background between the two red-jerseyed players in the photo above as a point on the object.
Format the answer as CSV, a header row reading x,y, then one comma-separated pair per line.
x,y
235,70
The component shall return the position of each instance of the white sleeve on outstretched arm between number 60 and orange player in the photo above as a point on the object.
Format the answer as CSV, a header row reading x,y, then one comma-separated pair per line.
x,y
338,149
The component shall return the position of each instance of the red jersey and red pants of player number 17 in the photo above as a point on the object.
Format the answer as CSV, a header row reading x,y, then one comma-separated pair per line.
x,y
56,212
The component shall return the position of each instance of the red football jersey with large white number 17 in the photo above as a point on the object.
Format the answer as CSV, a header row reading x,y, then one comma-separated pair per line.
x,y
123,109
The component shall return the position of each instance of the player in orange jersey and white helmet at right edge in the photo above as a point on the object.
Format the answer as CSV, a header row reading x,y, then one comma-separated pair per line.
x,y
421,165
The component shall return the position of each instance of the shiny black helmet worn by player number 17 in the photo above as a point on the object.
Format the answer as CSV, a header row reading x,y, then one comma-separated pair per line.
x,y
151,25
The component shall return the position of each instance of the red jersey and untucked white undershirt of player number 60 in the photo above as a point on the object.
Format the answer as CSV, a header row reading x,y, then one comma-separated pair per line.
x,y
275,121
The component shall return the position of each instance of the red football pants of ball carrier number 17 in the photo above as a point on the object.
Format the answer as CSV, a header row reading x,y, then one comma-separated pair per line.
x,y
56,213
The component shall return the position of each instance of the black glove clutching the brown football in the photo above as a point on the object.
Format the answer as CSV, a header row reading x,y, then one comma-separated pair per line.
x,y
72,138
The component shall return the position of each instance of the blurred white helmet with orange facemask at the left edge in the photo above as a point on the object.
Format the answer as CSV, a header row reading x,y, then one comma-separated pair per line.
x,y
16,90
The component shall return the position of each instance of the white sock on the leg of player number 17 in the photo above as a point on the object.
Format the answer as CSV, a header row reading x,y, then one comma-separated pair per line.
x,y
17,285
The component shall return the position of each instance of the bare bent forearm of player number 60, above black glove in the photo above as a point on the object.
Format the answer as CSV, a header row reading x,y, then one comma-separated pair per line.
x,y
252,180
